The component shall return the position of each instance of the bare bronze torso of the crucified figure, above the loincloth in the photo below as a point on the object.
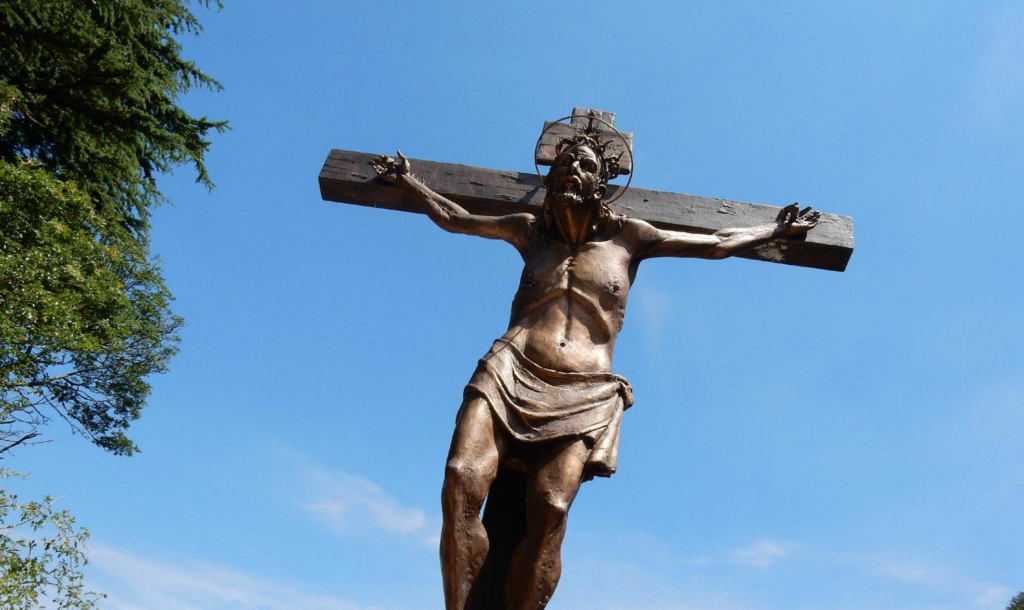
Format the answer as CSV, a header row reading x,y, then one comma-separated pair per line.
x,y
572,301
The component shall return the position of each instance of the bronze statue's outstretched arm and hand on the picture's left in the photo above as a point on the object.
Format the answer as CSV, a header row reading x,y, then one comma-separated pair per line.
x,y
448,214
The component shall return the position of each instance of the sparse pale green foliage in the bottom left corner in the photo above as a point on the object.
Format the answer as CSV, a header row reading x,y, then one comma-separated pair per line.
x,y
41,556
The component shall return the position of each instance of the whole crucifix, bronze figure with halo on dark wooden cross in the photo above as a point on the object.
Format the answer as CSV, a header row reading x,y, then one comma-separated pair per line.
x,y
542,413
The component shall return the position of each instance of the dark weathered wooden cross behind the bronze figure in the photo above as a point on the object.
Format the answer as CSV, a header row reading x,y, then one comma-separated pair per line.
x,y
348,179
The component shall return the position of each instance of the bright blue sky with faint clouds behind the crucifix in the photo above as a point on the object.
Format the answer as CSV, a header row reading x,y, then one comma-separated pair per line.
x,y
801,440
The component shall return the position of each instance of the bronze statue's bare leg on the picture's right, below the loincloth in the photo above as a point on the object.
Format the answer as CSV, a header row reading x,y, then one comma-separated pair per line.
x,y
537,564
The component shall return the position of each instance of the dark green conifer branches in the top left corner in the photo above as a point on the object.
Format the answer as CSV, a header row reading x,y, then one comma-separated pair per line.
x,y
93,90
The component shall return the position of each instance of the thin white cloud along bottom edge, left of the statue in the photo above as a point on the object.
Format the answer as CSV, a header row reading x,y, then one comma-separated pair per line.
x,y
137,583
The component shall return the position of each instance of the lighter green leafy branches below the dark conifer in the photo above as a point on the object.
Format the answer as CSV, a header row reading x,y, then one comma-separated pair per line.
x,y
84,316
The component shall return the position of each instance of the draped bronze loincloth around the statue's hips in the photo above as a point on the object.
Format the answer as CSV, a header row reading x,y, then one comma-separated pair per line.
x,y
537,404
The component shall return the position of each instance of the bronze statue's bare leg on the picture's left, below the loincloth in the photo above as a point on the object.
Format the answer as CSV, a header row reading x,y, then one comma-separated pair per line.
x,y
477,450
